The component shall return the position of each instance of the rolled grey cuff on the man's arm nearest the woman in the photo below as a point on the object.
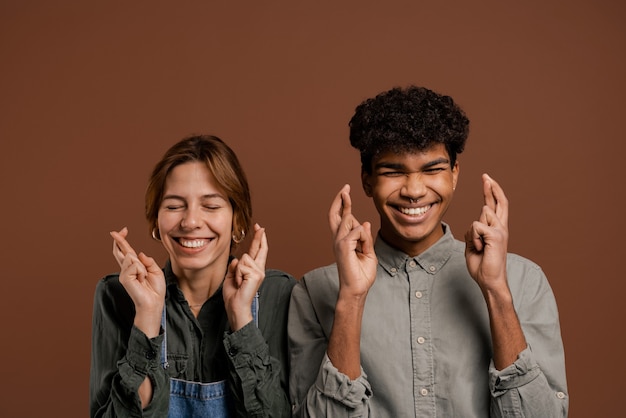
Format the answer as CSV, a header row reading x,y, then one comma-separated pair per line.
x,y
336,385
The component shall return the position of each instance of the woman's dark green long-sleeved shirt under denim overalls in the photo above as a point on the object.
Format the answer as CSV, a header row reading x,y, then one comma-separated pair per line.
x,y
252,360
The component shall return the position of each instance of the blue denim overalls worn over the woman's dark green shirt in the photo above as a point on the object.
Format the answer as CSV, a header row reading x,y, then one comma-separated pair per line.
x,y
193,399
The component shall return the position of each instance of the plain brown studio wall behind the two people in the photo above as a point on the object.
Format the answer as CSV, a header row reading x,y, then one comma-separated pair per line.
x,y
92,93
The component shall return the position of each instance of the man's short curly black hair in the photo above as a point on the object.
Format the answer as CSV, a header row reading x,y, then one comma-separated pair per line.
x,y
406,120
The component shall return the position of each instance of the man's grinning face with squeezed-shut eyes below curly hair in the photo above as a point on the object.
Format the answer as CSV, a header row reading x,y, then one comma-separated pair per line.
x,y
411,192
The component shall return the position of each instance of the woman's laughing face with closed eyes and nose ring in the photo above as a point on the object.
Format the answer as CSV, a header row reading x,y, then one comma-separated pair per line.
x,y
195,221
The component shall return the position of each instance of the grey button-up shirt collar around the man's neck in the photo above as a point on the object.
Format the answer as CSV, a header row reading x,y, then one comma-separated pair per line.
x,y
431,260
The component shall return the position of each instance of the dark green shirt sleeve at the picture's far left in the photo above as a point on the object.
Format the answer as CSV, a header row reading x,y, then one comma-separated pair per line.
x,y
121,358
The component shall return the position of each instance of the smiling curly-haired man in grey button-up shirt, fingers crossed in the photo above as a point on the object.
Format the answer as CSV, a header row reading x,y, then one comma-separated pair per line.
x,y
416,323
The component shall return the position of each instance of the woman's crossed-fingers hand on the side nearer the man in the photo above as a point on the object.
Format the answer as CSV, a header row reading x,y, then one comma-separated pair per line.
x,y
243,279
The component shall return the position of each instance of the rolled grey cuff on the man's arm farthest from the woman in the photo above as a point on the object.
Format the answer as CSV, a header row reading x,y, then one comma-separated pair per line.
x,y
523,371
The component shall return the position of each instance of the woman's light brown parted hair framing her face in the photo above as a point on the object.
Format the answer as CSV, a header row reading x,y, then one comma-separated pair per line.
x,y
222,164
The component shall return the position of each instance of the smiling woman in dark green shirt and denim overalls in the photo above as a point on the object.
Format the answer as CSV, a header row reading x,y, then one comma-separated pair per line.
x,y
186,340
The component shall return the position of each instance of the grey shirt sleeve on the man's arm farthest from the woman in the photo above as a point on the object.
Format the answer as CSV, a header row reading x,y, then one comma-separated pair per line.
x,y
535,384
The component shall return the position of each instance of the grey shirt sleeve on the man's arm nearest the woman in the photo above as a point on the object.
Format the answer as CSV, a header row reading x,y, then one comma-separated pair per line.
x,y
317,388
